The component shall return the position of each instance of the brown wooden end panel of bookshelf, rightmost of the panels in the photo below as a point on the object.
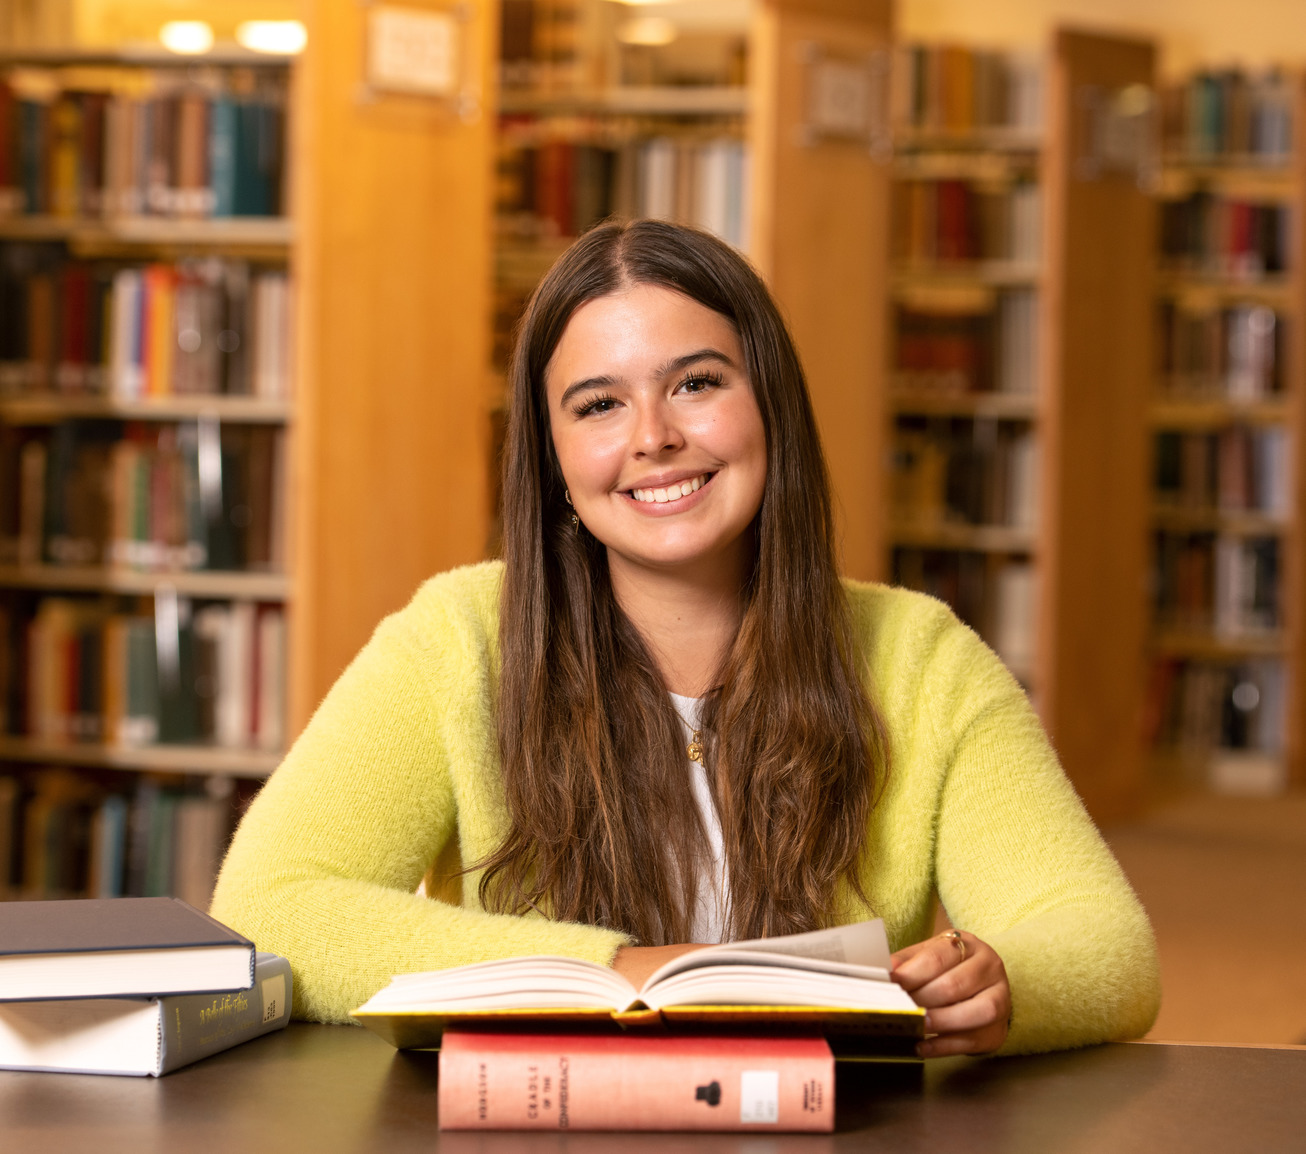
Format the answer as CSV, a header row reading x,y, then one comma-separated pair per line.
x,y
1096,361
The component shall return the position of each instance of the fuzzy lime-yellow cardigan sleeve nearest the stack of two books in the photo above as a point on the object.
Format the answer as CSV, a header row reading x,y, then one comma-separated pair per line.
x,y
326,865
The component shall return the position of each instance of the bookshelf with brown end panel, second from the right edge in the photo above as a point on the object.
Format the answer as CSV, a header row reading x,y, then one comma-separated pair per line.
x,y
1019,358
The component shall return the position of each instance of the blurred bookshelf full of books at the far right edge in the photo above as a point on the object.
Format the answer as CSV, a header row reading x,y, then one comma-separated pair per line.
x,y
1227,646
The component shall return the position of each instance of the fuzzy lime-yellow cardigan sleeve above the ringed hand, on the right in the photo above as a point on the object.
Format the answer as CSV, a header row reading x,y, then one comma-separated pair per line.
x,y
1021,865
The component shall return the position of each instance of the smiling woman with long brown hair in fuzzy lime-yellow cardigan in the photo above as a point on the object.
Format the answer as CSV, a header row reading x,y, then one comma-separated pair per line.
x,y
663,720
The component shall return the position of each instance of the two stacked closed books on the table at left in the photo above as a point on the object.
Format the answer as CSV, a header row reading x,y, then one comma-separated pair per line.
x,y
130,986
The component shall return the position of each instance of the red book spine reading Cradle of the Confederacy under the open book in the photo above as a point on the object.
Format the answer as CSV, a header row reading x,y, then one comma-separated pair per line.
x,y
600,1083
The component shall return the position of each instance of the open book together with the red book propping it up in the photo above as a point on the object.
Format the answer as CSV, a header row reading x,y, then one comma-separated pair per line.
x,y
739,1037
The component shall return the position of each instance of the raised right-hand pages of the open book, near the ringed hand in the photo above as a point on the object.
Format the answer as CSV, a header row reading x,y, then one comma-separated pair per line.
x,y
857,951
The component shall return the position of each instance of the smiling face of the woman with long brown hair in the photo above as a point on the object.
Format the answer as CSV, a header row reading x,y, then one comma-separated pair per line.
x,y
658,431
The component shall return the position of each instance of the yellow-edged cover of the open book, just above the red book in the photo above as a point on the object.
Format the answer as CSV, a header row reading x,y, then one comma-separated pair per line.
x,y
855,1035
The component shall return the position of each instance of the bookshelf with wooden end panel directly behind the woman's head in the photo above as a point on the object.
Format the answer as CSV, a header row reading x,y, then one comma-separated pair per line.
x,y
729,99
